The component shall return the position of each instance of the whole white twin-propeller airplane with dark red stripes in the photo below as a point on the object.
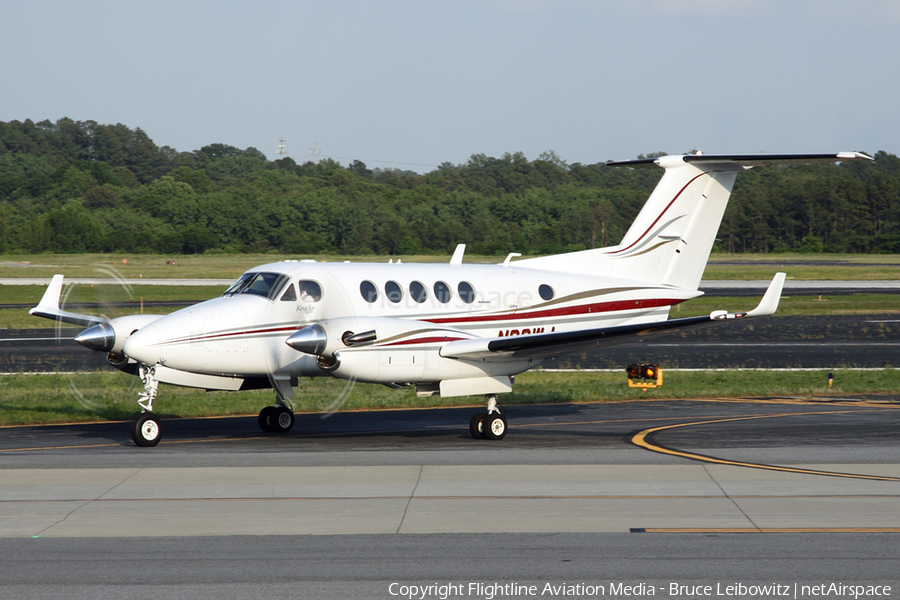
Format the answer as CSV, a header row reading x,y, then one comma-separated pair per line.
x,y
450,329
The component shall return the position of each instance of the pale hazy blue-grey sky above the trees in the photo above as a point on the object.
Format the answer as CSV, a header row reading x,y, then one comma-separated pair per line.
x,y
411,84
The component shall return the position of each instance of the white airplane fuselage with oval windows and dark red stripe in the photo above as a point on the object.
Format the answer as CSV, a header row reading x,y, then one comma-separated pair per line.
x,y
424,306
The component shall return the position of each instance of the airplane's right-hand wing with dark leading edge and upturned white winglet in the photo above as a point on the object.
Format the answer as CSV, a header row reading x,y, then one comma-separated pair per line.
x,y
550,345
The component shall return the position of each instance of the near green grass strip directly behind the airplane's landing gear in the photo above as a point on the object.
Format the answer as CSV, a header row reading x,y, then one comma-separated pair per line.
x,y
105,396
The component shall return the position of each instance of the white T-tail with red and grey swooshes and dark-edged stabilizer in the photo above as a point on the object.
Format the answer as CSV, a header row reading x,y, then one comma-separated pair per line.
x,y
670,240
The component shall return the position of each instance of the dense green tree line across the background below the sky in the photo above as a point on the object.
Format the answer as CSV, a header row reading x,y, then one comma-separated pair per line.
x,y
79,186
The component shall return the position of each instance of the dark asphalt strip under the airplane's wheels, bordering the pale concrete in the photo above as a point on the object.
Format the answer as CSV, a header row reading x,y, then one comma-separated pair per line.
x,y
850,429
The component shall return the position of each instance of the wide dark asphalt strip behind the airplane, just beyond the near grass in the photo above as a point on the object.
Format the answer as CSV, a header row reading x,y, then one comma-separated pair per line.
x,y
827,342
